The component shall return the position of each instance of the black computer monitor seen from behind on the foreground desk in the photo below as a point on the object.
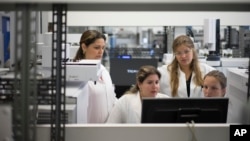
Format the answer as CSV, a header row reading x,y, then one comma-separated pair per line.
x,y
183,110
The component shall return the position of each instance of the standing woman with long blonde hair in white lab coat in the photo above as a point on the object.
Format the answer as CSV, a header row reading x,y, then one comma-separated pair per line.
x,y
183,77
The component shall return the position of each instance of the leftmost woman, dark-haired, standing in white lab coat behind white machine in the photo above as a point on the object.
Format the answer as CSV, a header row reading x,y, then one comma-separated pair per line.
x,y
101,95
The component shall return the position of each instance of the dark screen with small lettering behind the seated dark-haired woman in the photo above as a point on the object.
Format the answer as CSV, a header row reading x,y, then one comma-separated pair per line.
x,y
123,71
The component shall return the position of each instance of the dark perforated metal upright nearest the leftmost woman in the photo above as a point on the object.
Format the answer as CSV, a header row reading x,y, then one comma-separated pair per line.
x,y
58,72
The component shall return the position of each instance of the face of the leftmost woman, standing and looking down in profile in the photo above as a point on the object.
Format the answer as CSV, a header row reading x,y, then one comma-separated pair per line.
x,y
94,50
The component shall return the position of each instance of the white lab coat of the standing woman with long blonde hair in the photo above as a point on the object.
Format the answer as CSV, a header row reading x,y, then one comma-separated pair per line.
x,y
195,91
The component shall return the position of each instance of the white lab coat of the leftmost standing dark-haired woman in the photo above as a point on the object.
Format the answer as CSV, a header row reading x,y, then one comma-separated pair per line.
x,y
101,98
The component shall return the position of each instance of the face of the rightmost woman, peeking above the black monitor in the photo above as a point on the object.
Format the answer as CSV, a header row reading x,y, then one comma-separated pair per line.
x,y
212,87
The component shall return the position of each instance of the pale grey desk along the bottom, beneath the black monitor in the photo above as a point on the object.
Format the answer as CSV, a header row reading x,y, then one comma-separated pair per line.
x,y
140,132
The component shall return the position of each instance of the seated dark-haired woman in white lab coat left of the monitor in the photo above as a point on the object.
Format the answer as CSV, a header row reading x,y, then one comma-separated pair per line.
x,y
128,108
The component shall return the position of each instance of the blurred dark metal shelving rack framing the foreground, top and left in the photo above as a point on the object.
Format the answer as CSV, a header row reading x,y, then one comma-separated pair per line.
x,y
24,118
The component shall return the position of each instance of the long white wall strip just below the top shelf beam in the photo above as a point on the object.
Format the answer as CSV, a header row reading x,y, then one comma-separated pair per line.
x,y
110,18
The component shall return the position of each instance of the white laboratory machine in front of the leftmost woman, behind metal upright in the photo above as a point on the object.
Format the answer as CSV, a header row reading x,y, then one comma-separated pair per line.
x,y
77,75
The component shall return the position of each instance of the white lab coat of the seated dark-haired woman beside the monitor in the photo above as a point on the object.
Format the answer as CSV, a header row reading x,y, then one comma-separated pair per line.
x,y
128,109
